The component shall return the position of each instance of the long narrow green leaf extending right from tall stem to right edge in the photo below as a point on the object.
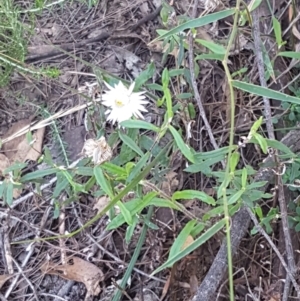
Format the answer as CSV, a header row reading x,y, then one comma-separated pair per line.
x,y
265,92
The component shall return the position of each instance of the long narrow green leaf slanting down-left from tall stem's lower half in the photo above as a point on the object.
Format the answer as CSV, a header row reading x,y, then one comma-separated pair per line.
x,y
193,246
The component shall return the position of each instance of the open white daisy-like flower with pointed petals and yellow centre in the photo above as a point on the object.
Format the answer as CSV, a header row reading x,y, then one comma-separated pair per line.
x,y
123,103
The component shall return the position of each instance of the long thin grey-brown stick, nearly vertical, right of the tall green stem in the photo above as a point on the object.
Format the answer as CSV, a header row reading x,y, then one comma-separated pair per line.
x,y
270,128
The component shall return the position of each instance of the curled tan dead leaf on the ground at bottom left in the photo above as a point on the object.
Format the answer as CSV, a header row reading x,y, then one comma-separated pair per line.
x,y
79,270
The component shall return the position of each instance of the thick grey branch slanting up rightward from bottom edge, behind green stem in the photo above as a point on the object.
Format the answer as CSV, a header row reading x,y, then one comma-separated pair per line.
x,y
240,225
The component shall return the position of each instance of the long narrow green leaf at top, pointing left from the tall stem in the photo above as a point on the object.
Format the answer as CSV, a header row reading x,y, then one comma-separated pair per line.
x,y
197,23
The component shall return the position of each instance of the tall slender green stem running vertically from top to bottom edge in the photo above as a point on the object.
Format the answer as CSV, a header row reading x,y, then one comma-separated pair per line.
x,y
227,174
